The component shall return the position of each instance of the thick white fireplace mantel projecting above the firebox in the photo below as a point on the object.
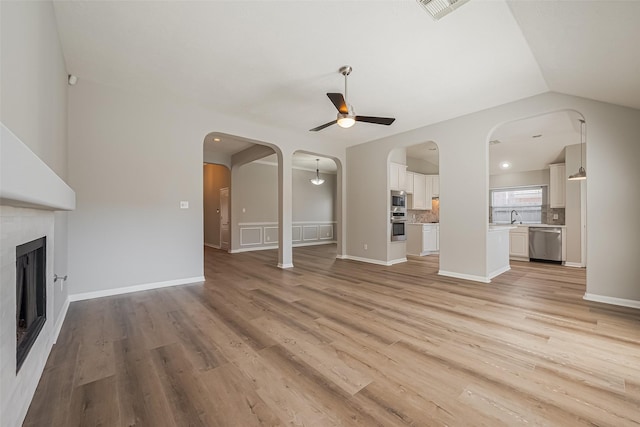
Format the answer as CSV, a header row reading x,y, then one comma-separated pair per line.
x,y
26,181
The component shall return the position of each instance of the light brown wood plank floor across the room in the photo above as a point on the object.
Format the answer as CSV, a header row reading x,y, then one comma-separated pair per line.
x,y
333,342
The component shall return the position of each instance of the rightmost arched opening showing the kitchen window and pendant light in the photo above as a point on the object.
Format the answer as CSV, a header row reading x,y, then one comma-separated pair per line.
x,y
532,158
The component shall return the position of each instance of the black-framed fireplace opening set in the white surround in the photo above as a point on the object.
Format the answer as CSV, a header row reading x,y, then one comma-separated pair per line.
x,y
31,295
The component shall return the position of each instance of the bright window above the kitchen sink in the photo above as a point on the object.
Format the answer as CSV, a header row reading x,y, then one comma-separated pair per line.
x,y
525,201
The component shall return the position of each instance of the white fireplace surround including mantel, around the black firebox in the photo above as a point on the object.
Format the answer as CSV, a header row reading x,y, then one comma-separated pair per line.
x,y
30,192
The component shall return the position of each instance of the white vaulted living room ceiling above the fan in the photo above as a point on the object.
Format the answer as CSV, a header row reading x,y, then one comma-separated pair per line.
x,y
269,60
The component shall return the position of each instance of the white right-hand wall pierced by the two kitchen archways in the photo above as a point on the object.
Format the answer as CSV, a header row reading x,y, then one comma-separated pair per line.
x,y
463,143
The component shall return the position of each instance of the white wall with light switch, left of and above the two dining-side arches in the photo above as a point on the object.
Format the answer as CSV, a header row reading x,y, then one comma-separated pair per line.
x,y
132,159
